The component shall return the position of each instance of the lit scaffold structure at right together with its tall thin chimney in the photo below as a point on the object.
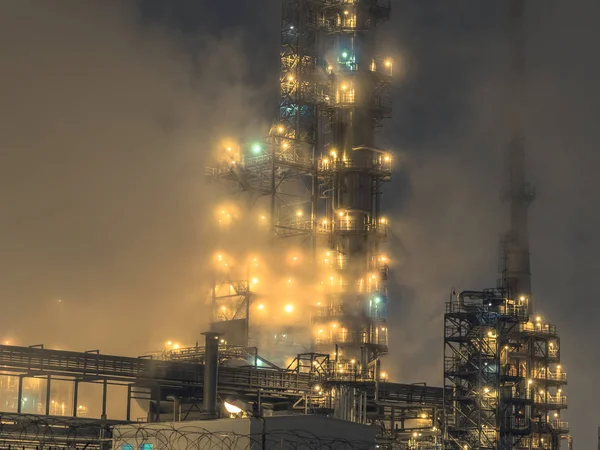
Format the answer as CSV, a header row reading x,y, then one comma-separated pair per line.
x,y
503,380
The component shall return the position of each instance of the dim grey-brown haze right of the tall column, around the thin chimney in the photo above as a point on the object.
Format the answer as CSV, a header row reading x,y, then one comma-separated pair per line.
x,y
450,121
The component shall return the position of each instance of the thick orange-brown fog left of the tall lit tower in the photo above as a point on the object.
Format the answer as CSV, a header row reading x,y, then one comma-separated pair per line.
x,y
105,124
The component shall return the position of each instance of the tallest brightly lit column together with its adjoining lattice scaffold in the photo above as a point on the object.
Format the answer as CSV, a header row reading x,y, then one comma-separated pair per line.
x,y
322,176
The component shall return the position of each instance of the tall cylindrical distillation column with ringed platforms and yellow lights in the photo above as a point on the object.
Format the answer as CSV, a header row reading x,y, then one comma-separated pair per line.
x,y
351,170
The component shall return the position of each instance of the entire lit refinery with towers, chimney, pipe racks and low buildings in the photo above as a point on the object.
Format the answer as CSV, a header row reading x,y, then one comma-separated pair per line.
x,y
298,330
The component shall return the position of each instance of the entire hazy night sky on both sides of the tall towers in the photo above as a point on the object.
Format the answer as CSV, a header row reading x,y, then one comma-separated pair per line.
x,y
109,110
